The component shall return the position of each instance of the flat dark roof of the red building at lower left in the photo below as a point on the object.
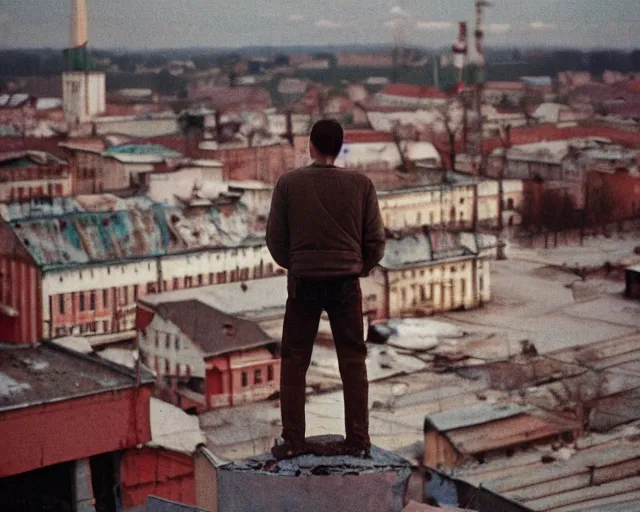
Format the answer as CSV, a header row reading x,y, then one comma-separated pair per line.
x,y
43,374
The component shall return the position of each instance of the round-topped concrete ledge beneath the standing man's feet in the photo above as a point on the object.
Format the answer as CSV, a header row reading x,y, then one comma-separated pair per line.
x,y
314,484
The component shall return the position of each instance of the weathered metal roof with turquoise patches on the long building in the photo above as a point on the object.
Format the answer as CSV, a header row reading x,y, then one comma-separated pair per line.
x,y
88,237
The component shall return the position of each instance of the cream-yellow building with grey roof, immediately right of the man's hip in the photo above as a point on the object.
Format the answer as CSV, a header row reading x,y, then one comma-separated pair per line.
x,y
427,272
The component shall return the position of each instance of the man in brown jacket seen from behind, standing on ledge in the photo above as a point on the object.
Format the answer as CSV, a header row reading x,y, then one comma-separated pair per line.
x,y
325,228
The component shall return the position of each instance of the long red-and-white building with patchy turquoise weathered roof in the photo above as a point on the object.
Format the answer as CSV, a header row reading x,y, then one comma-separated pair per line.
x,y
82,272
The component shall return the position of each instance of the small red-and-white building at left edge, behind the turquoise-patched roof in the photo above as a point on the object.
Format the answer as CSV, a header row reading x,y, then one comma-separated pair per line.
x,y
27,175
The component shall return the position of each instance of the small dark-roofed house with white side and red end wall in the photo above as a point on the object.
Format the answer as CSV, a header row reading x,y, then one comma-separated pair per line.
x,y
212,359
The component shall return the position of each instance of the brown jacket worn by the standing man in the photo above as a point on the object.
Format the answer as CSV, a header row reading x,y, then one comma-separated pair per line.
x,y
325,222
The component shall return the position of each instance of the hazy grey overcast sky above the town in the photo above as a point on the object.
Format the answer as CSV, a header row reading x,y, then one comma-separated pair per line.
x,y
151,24
